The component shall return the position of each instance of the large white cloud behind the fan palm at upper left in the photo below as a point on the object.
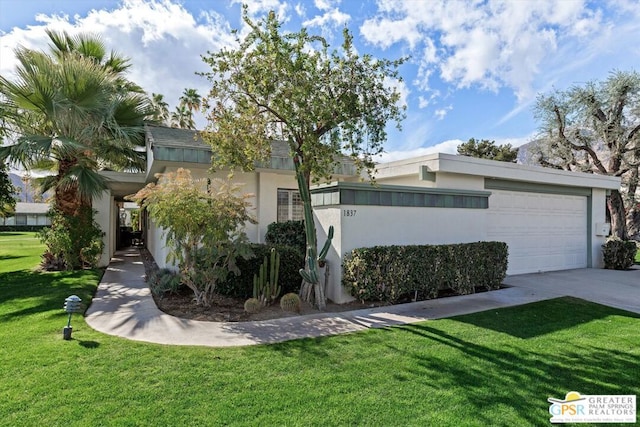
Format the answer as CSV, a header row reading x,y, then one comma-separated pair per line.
x,y
163,40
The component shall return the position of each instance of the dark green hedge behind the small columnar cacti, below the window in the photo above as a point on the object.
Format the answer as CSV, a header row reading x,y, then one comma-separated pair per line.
x,y
291,261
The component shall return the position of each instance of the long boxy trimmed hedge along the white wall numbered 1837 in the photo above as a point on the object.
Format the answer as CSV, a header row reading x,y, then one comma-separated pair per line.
x,y
390,273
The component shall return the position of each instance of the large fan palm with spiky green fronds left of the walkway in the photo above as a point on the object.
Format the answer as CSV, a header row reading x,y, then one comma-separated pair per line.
x,y
72,111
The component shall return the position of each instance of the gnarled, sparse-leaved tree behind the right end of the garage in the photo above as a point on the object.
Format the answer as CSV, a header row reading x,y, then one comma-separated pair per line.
x,y
595,128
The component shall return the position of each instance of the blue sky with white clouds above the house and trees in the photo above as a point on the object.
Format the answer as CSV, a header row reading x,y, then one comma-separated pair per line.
x,y
475,67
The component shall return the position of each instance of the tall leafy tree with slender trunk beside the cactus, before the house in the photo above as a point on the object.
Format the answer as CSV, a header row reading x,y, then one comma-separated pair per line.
x,y
289,86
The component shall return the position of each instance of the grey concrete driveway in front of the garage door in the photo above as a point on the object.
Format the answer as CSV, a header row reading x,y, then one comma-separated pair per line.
x,y
620,289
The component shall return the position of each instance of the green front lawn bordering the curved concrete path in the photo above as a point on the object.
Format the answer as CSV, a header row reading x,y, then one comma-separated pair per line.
x,y
493,368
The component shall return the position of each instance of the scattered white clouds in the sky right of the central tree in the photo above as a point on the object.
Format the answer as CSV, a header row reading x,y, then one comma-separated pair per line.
x,y
491,44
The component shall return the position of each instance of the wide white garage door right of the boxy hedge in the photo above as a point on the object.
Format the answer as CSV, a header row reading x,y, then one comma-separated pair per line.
x,y
544,232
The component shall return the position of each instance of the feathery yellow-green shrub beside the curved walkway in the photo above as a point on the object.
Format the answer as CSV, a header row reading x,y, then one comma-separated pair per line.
x,y
204,220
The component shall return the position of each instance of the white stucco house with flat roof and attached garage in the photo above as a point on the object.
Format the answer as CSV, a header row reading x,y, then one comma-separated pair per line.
x,y
551,219
